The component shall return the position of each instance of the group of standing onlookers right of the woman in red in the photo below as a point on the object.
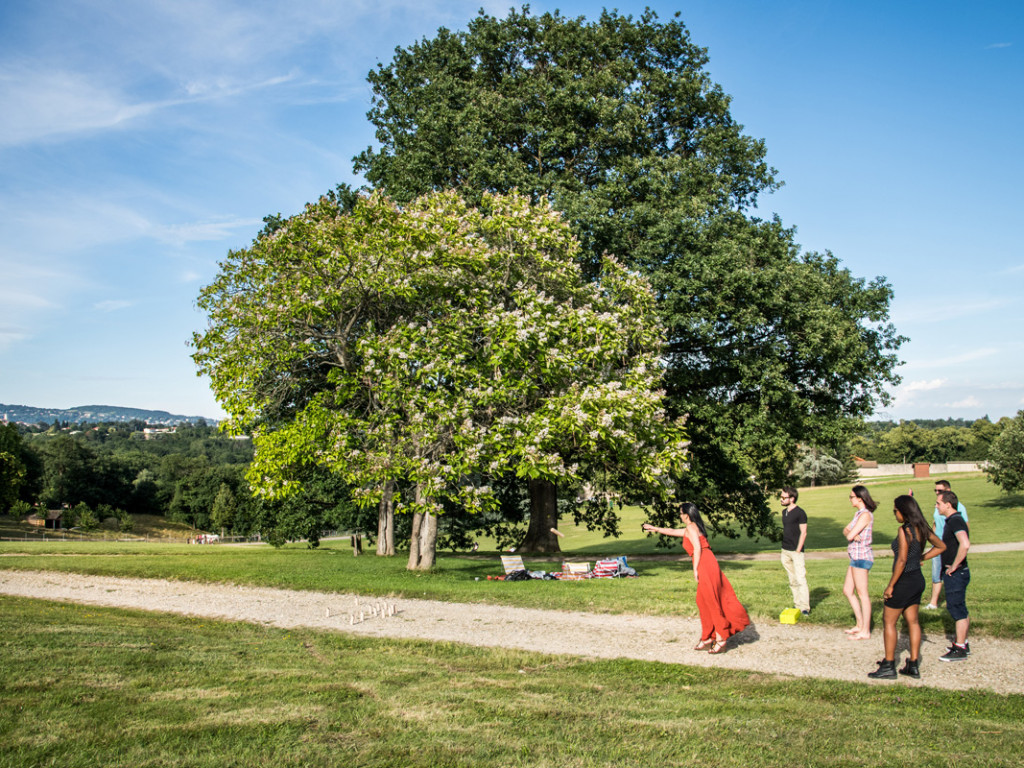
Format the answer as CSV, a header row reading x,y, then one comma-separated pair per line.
x,y
948,547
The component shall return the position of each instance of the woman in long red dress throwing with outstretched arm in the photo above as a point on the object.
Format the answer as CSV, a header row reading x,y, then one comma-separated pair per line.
x,y
721,613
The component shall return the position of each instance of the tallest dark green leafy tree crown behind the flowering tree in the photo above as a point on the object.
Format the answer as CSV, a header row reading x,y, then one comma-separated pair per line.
x,y
618,125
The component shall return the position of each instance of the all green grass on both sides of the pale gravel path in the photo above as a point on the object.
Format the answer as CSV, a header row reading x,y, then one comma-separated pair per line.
x,y
87,687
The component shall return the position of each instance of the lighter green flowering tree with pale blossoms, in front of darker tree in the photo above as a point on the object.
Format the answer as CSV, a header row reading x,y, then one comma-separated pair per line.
x,y
428,348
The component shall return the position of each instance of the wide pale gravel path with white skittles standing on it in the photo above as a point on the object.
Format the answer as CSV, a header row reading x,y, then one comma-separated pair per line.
x,y
769,648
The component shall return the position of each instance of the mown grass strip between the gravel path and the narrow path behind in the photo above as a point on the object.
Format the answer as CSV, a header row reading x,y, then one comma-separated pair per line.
x,y
665,587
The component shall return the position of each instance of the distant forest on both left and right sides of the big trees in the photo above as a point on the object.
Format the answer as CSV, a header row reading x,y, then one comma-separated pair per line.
x,y
193,474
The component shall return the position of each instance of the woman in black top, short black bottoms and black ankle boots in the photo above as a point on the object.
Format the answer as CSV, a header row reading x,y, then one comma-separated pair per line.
x,y
903,595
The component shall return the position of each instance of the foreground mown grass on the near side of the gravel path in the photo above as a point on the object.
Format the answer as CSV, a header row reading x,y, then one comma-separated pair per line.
x,y
87,687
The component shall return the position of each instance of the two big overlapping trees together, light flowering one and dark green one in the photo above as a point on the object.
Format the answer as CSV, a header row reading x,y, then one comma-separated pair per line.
x,y
461,352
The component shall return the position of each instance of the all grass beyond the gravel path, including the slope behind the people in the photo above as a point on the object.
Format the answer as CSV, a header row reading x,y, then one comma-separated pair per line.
x,y
666,585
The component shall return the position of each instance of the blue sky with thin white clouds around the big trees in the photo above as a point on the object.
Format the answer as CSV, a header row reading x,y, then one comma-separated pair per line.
x,y
142,141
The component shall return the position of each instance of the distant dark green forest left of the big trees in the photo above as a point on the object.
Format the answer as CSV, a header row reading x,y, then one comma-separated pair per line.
x,y
189,474
